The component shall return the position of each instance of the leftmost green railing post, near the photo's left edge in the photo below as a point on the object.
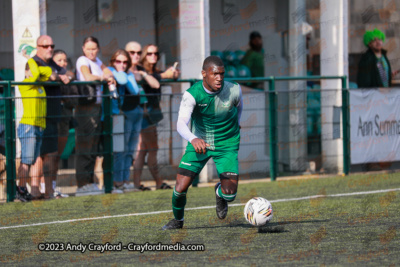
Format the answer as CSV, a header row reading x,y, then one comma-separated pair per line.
x,y
10,143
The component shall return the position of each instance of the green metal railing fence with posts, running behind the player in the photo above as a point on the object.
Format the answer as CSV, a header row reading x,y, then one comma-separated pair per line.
x,y
10,123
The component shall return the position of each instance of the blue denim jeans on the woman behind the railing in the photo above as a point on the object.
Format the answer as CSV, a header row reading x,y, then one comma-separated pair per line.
x,y
123,160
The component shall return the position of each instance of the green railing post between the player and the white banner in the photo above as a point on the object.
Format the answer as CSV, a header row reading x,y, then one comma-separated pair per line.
x,y
272,130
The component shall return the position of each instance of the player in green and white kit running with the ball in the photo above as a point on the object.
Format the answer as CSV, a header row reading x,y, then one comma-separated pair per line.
x,y
215,108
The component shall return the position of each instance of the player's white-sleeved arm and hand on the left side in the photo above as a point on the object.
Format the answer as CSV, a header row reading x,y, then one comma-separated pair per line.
x,y
185,112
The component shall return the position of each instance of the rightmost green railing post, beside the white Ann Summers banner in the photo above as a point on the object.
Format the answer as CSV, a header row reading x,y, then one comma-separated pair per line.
x,y
346,134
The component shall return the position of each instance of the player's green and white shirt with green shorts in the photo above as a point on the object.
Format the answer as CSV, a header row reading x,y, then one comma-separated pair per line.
x,y
215,119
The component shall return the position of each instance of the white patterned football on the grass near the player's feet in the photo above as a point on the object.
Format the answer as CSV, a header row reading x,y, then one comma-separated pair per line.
x,y
258,211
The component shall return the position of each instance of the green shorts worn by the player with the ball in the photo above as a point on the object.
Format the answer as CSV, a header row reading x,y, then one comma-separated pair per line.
x,y
225,161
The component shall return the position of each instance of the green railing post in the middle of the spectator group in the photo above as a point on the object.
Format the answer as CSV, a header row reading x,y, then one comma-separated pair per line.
x,y
108,140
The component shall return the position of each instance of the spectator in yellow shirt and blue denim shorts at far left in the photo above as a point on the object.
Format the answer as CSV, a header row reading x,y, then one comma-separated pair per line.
x,y
32,125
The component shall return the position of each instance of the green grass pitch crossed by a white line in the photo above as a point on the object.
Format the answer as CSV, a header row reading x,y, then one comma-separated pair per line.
x,y
361,229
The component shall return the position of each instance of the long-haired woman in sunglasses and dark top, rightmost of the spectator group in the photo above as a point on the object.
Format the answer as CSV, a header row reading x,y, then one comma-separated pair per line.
x,y
148,137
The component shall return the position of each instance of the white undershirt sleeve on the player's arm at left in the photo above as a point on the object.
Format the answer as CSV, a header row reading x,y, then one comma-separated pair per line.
x,y
185,113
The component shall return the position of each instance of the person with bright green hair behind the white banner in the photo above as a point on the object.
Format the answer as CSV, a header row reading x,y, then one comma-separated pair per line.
x,y
374,68
